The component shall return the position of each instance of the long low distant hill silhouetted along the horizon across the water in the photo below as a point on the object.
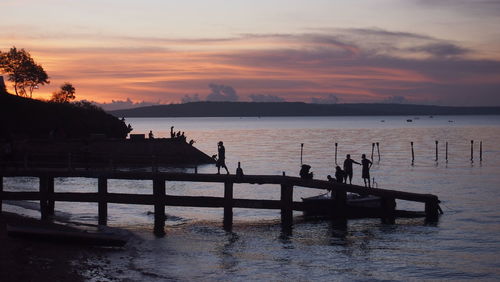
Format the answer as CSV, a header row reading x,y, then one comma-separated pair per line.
x,y
243,109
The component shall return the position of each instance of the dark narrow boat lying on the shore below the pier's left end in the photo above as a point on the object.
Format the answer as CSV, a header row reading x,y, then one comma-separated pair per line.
x,y
64,236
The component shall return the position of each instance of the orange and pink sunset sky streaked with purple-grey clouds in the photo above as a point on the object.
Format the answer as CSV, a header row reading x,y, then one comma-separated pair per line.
x,y
129,52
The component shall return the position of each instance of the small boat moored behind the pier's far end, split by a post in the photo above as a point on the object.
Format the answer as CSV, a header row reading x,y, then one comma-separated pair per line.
x,y
357,205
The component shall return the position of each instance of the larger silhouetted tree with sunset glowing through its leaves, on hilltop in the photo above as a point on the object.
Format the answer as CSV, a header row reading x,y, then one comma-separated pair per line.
x,y
23,71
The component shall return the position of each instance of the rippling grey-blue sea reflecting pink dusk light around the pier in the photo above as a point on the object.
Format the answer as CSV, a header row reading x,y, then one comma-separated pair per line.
x,y
462,169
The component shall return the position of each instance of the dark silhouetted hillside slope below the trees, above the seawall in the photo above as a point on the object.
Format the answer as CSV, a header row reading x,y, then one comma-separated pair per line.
x,y
29,118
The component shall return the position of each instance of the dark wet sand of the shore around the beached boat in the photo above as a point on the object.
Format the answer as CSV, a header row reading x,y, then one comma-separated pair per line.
x,y
31,260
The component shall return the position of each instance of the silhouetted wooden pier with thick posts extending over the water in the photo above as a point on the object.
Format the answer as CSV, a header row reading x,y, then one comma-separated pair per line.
x,y
159,198
